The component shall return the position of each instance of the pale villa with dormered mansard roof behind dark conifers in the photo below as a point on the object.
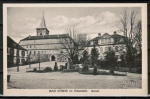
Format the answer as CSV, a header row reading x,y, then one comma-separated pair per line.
x,y
106,41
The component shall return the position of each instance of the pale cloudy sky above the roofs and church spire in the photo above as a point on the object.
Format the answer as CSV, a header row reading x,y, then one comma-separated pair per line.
x,y
23,21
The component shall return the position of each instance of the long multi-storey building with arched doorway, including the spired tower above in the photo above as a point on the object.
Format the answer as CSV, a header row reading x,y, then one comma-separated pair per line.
x,y
46,45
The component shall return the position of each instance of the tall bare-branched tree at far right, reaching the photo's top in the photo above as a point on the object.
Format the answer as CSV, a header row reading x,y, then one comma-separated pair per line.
x,y
127,25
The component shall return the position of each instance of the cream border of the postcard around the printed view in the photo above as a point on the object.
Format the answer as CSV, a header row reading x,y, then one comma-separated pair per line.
x,y
103,92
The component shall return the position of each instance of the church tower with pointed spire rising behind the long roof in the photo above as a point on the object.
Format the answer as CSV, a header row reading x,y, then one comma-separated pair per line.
x,y
42,30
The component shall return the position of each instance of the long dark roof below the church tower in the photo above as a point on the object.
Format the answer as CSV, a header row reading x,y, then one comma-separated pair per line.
x,y
46,37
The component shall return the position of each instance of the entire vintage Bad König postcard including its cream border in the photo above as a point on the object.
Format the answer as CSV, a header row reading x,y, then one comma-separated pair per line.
x,y
70,49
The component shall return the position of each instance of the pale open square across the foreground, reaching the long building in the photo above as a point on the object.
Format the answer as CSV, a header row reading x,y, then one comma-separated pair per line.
x,y
69,80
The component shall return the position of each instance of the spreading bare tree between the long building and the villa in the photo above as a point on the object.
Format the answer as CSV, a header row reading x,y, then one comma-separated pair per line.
x,y
74,44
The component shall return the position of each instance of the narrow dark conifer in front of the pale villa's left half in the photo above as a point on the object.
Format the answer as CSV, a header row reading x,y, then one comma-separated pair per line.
x,y
94,55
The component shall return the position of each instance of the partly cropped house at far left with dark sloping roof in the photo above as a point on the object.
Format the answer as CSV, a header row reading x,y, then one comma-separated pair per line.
x,y
15,53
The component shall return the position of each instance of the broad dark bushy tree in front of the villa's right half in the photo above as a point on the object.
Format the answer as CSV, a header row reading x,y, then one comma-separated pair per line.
x,y
111,59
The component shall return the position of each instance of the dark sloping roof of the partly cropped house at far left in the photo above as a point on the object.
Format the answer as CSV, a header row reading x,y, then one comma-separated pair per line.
x,y
11,43
